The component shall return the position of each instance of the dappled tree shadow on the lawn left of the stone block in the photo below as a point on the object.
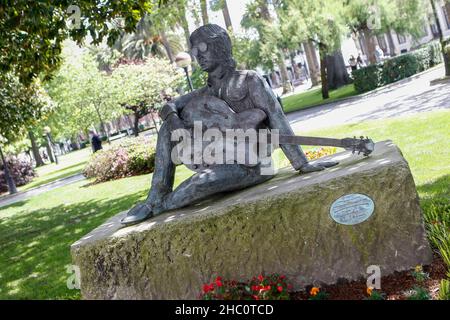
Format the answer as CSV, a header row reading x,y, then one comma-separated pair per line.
x,y
35,246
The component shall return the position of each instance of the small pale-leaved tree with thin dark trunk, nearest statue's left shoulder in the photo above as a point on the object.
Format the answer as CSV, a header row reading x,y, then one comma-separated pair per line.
x,y
142,88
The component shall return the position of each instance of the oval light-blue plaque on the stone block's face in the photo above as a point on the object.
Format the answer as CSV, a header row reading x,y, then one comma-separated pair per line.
x,y
352,209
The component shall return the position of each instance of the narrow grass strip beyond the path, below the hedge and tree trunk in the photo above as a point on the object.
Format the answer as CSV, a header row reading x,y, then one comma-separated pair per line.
x,y
313,97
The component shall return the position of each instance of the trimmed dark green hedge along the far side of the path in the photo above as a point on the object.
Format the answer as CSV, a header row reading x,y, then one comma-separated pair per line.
x,y
398,68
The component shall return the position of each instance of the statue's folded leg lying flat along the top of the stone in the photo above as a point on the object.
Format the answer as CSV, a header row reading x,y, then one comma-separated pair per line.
x,y
220,178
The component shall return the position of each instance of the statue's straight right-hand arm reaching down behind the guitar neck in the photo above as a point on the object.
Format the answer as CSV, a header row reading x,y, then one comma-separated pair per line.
x,y
263,98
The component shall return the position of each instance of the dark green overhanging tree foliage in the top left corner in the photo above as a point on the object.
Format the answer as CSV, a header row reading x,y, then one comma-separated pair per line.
x,y
32,32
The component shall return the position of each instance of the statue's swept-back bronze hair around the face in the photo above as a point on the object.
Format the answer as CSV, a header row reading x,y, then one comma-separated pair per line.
x,y
218,41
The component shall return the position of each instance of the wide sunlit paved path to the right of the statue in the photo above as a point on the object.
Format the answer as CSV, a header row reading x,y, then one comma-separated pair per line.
x,y
405,97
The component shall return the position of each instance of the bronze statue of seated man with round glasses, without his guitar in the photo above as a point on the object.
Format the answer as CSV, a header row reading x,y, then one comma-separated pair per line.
x,y
248,96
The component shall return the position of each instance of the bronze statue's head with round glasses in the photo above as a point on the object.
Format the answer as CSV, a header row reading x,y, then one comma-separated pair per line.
x,y
211,46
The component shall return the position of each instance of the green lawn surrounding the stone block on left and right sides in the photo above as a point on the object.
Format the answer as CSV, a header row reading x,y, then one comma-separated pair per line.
x,y
35,234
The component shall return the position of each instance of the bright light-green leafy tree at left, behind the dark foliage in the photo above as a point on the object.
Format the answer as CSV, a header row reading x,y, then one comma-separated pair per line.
x,y
83,95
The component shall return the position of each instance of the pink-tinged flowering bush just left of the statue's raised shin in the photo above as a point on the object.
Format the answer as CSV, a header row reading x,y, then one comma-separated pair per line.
x,y
129,158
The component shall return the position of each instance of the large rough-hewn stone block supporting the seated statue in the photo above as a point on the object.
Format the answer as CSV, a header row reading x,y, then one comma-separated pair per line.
x,y
282,226
